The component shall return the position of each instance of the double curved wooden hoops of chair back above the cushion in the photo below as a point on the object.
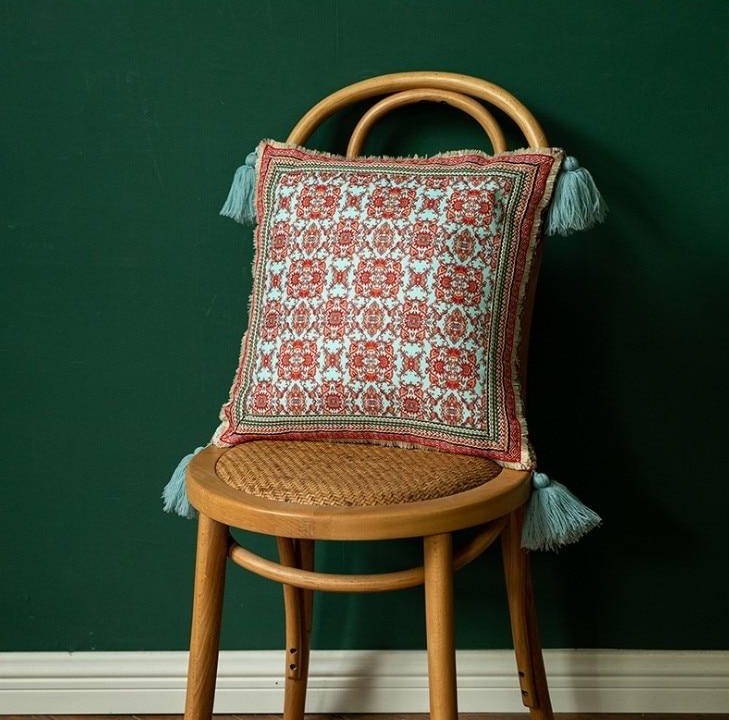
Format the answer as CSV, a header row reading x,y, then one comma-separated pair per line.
x,y
455,89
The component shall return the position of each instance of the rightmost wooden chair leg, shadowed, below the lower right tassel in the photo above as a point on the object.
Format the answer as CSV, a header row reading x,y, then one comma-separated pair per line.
x,y
522,610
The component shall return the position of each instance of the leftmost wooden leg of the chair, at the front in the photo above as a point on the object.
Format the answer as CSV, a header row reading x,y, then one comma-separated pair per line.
x,y
207,607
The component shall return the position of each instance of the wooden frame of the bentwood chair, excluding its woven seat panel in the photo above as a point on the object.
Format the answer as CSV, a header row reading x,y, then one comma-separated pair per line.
x,y
496,505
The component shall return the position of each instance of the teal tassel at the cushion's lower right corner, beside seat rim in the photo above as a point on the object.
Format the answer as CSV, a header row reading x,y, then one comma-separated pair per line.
x,y
554,516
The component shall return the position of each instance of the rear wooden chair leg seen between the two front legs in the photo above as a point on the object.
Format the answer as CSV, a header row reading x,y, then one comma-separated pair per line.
x,y
298,605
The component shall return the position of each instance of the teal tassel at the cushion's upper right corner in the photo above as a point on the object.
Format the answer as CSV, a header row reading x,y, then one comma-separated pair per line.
x,y
576,202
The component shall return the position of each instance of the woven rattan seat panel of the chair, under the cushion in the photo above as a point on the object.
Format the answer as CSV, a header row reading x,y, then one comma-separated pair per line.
x,y
342,474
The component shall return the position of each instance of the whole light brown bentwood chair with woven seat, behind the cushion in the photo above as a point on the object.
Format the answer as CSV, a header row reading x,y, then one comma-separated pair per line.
x,y
321,474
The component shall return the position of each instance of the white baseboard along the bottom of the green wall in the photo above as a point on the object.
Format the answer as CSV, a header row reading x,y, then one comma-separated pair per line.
x,y
589,681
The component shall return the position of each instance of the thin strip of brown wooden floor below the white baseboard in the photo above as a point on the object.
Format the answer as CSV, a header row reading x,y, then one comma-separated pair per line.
x,y
389,716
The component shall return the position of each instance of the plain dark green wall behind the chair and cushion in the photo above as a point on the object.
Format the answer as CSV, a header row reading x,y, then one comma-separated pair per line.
x,y
124,296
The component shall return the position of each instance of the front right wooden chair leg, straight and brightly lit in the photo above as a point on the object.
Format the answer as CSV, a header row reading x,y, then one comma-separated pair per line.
x,y
438,562
